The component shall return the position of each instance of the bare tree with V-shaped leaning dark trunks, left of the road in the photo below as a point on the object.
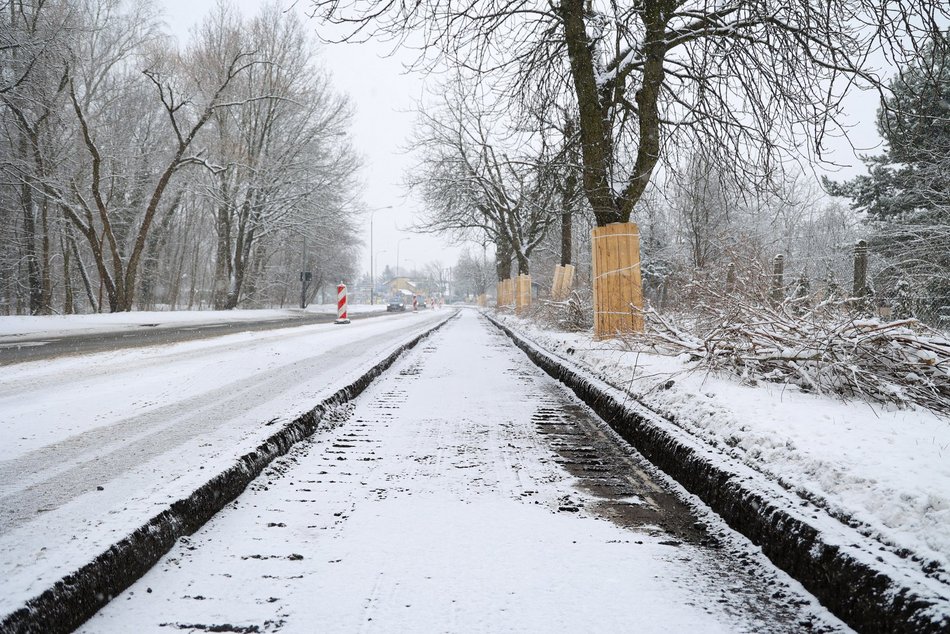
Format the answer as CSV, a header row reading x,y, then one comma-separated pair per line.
x,y
135,131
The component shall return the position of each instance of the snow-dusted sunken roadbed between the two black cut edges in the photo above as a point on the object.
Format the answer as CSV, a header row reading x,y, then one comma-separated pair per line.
x,y
448,497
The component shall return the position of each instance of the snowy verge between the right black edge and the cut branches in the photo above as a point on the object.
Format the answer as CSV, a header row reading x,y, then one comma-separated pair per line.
x,y
886,470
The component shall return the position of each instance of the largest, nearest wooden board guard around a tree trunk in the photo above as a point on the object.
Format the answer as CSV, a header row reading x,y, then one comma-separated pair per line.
x,y
618,291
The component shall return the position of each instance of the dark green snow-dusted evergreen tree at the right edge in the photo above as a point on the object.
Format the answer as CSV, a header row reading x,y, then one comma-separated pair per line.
x,y
906,193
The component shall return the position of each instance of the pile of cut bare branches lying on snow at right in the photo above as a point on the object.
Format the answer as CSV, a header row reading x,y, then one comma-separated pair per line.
x,y
827,349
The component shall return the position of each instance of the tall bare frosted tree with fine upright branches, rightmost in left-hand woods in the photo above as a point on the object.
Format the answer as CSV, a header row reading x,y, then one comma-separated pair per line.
x,y
284,162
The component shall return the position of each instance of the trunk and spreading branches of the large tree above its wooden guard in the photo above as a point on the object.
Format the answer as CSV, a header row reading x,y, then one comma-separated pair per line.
x,y
758,79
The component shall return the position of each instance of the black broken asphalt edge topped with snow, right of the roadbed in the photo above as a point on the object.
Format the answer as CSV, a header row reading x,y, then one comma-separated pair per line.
x,y
849,574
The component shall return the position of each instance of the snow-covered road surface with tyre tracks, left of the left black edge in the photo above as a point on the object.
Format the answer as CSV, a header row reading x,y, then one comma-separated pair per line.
x,y
92,446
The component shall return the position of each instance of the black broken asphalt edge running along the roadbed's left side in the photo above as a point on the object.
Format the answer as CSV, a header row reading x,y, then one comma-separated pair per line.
x,y
80,594
